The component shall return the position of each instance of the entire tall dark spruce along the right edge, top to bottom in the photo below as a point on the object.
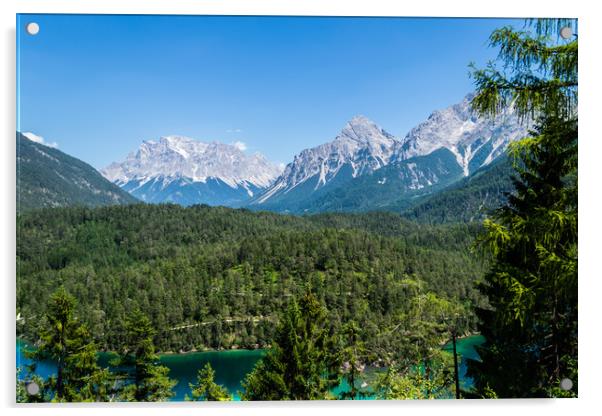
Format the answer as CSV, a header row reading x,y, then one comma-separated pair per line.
x,y
531,325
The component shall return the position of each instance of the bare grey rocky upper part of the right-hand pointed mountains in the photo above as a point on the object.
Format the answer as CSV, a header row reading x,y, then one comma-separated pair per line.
x,y
458,139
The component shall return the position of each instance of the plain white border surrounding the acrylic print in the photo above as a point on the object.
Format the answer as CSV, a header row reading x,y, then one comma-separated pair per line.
x,y
590,370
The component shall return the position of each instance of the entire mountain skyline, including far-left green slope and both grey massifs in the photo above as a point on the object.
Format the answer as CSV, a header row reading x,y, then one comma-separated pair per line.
x,y
453,155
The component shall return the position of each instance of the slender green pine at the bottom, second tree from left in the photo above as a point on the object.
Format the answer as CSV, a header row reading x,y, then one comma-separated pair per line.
x,y
145,379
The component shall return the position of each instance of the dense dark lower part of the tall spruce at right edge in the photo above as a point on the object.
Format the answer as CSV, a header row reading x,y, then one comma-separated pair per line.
x,y
532,285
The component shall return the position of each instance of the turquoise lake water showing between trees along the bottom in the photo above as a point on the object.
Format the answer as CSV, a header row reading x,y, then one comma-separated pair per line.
x,y
232,366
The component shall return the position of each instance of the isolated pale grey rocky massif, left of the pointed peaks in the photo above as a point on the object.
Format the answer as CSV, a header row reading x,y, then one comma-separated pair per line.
x,y
187,171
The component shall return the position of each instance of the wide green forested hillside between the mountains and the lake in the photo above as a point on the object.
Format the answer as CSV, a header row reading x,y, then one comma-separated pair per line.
x,y
218,277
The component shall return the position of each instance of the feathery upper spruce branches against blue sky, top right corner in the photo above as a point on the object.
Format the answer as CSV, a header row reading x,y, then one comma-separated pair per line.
x,y
538,75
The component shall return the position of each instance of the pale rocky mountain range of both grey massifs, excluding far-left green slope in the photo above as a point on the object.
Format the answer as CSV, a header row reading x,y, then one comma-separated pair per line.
x,y
363,168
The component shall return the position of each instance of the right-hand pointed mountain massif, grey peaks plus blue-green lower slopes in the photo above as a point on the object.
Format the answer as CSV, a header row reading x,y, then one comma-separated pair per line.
x,y
366,168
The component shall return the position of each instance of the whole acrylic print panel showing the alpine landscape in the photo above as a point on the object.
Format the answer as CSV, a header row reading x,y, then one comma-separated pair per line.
x,y
209,209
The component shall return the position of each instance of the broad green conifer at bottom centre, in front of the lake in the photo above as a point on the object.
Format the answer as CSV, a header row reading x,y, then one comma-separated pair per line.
x,y
301,365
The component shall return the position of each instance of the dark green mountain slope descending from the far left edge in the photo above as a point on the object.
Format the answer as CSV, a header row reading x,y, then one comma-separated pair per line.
x,y
47,177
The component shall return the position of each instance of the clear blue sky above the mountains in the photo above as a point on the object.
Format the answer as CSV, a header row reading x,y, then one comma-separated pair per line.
x,y
99,85
